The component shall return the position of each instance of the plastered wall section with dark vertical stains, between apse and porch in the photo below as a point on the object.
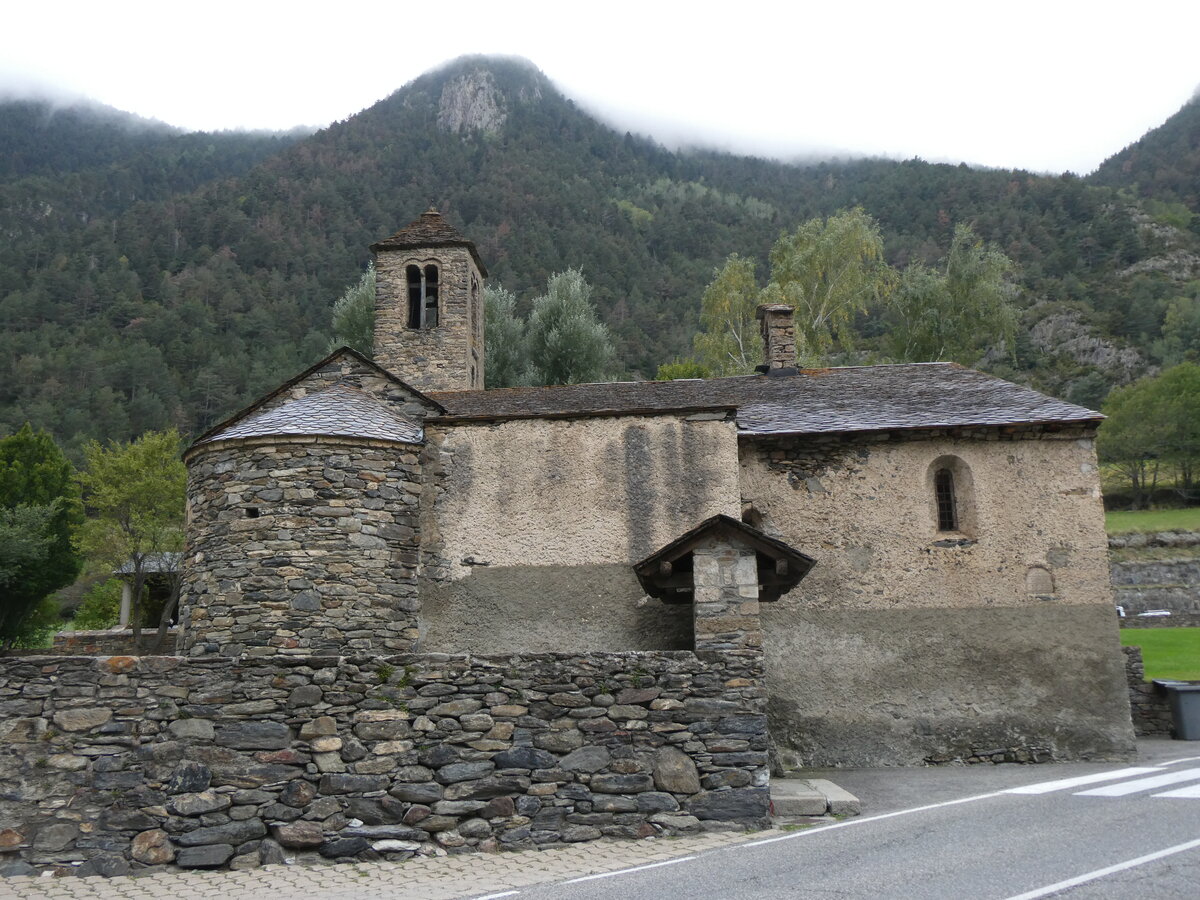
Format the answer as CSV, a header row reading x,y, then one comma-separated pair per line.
x,y
532,529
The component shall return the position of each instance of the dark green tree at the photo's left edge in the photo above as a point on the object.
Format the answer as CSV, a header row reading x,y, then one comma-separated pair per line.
x,y
41,511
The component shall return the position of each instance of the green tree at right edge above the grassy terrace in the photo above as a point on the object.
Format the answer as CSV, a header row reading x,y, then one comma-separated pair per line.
x,y
1151,424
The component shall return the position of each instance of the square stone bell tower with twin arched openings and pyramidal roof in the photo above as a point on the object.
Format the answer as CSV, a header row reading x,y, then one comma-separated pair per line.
x,y
430,307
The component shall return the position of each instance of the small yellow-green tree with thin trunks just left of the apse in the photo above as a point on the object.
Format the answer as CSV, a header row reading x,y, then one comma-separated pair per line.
x,y
135,496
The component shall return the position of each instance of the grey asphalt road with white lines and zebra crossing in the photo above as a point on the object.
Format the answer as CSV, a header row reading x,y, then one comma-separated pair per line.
x,y
1004,833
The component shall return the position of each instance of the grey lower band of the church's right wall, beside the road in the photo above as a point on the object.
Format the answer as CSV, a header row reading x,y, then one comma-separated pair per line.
x,y
929,687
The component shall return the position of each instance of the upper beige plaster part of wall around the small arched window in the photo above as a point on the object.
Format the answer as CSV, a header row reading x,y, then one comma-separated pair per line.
x,y
866,511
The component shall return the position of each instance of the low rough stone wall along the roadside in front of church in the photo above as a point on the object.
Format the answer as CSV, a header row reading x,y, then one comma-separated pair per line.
x,y
113,765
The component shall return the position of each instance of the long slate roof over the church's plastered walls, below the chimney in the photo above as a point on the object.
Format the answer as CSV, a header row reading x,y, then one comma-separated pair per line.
x,y
923,395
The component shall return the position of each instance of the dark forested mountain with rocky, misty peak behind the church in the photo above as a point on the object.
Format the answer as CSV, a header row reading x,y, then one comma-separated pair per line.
x,y
153,279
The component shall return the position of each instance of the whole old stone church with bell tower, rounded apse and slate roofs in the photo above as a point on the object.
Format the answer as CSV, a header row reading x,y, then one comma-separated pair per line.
x,y
925,544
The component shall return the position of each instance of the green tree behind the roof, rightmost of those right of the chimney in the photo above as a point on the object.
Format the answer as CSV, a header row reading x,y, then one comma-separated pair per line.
x,y
955,314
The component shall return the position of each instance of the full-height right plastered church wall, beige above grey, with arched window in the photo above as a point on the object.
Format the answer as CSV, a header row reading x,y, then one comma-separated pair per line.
x,y
907,645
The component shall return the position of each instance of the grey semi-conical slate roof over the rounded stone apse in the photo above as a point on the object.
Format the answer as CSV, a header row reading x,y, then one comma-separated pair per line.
x,y
339,411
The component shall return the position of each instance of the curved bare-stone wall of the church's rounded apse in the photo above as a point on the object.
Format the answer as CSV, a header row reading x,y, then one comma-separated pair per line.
x,y
302,545
